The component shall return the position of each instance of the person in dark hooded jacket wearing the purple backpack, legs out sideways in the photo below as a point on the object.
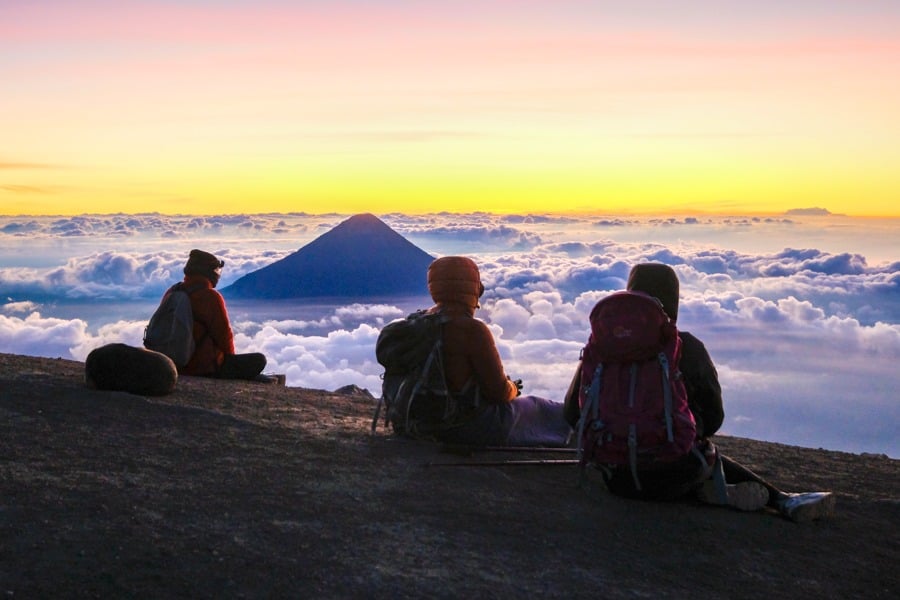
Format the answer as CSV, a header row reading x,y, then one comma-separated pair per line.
x,y
738,486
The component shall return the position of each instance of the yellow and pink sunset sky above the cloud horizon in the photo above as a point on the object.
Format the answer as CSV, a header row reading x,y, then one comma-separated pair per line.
x,y
516,106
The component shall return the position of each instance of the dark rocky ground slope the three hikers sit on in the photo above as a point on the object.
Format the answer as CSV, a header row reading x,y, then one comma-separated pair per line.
x,y
247,490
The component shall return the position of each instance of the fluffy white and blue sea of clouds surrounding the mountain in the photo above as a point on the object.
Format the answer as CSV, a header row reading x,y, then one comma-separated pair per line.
x,y
800,313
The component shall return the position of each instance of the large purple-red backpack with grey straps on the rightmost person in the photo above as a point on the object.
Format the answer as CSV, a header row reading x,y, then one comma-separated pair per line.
x,y
634,407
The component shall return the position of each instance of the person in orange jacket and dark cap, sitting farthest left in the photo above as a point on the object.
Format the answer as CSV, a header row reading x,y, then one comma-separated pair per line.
x,y
214,354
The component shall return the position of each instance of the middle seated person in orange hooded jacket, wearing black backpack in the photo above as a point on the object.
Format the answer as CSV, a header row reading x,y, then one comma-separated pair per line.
x,y
474,371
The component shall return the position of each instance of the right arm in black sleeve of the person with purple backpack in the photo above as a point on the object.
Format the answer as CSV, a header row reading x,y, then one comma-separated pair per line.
x,y
702,382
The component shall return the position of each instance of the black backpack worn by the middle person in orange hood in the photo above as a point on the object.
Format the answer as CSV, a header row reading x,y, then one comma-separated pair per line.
x,y
414,390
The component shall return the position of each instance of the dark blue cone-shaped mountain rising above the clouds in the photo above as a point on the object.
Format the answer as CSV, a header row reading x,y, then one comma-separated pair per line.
x,y
362,256
